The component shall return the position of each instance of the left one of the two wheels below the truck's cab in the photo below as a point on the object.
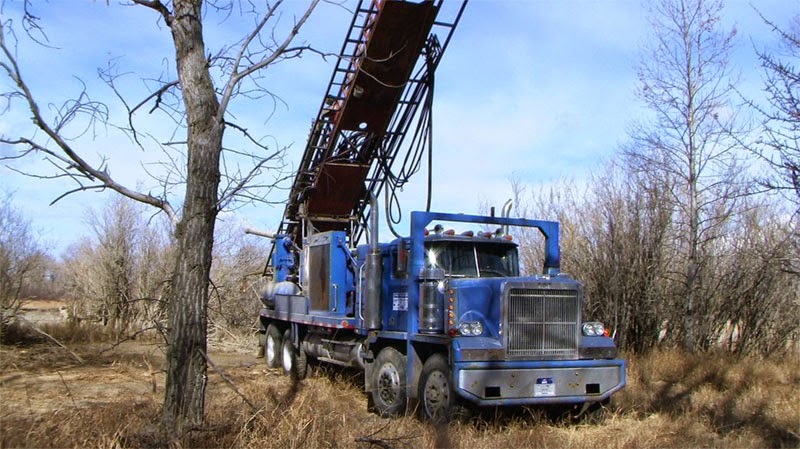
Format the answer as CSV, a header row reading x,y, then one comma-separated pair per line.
x,y
389,383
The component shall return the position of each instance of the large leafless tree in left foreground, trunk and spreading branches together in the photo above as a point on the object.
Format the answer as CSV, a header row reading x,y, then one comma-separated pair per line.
x,y
203,116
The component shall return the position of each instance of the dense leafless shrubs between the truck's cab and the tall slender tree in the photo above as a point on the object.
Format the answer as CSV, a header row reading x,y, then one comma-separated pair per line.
x,y
614,236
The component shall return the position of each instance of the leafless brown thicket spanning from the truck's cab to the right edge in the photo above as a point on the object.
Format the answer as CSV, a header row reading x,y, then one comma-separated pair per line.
x,y
624,243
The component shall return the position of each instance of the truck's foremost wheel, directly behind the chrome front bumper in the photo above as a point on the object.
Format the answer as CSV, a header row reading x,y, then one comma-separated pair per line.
x,y
438,400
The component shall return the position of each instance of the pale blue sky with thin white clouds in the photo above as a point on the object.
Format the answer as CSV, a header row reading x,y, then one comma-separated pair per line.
x,y
538,90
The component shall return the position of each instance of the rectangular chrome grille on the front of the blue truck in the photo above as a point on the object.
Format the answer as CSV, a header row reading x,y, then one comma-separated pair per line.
x,y
542,323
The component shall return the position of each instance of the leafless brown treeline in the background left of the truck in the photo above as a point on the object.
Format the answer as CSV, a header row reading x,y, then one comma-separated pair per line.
x,y
118,275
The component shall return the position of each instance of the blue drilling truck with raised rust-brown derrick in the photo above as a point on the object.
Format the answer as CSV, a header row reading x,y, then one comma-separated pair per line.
x,y
442,319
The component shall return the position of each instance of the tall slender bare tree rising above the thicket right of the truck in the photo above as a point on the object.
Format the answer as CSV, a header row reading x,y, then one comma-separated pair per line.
x,y
686,83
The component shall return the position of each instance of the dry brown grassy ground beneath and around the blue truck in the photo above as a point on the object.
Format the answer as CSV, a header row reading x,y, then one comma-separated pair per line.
x,y
90,394
